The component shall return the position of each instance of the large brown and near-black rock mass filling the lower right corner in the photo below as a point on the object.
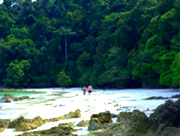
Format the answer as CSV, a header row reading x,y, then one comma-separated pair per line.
x,y
165,121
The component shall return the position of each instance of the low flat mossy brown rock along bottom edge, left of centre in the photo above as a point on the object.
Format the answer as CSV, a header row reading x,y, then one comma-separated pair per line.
x,y
64,129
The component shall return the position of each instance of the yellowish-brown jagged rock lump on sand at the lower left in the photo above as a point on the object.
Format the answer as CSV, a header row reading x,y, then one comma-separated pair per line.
x,y
22,124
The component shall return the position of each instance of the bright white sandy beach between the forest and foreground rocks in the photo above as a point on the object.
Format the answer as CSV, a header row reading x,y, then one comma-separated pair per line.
x,y
55,102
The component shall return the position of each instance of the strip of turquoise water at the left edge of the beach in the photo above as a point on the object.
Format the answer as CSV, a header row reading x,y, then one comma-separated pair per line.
x,y
18,93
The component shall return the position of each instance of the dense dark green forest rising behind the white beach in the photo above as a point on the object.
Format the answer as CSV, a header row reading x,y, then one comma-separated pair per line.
x,y
105,43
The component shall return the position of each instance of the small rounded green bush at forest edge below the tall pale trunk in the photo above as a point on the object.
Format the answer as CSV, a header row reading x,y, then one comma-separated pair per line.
x,y
63,79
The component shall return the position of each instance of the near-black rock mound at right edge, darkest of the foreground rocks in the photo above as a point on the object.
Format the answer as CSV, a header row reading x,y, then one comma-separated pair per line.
x,y
166,119
